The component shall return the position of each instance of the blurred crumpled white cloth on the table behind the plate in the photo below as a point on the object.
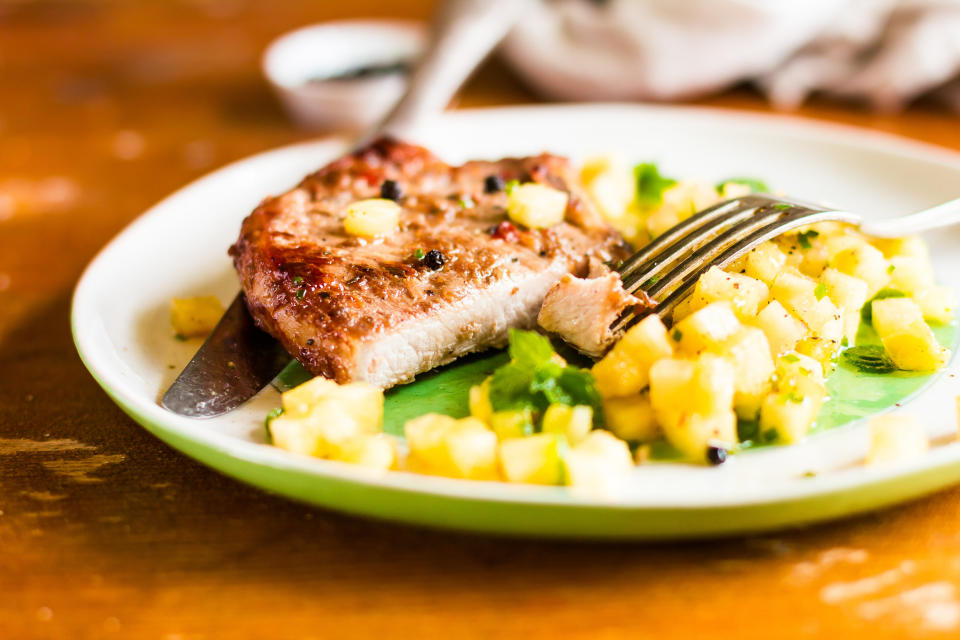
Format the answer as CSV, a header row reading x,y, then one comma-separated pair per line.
x,y
886,52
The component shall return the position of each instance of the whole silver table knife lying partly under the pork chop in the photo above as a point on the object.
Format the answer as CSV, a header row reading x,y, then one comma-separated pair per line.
x,y
238,359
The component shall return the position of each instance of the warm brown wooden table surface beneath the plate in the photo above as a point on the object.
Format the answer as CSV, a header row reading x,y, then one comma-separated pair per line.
x,y
105,532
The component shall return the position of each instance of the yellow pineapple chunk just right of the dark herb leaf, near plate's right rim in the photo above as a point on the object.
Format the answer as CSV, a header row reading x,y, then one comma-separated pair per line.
x,y
906,337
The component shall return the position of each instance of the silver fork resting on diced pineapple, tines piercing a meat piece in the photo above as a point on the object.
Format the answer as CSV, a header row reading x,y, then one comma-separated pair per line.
x,y
666,269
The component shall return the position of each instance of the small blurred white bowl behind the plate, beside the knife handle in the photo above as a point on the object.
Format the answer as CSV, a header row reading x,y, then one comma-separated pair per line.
x,y
296,63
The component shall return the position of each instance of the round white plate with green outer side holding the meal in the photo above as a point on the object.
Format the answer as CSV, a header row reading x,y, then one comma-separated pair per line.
x,y
178,249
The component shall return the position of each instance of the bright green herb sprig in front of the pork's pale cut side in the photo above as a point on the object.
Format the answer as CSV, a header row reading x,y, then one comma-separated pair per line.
x,y
533,379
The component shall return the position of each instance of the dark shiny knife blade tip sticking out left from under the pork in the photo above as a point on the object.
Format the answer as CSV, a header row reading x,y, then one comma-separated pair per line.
x,y
234,363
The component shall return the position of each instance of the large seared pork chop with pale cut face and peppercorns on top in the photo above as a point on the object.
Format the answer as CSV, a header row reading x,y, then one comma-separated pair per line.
x,y
452,279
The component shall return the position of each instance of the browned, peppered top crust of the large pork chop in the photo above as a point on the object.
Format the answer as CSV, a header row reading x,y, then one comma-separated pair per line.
x,y
322,292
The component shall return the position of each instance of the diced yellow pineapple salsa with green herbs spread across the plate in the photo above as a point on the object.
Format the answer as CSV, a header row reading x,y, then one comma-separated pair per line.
x,y
743,361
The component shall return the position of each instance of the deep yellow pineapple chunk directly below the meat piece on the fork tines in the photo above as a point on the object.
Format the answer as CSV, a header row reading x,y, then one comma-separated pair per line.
x,y
625,370
